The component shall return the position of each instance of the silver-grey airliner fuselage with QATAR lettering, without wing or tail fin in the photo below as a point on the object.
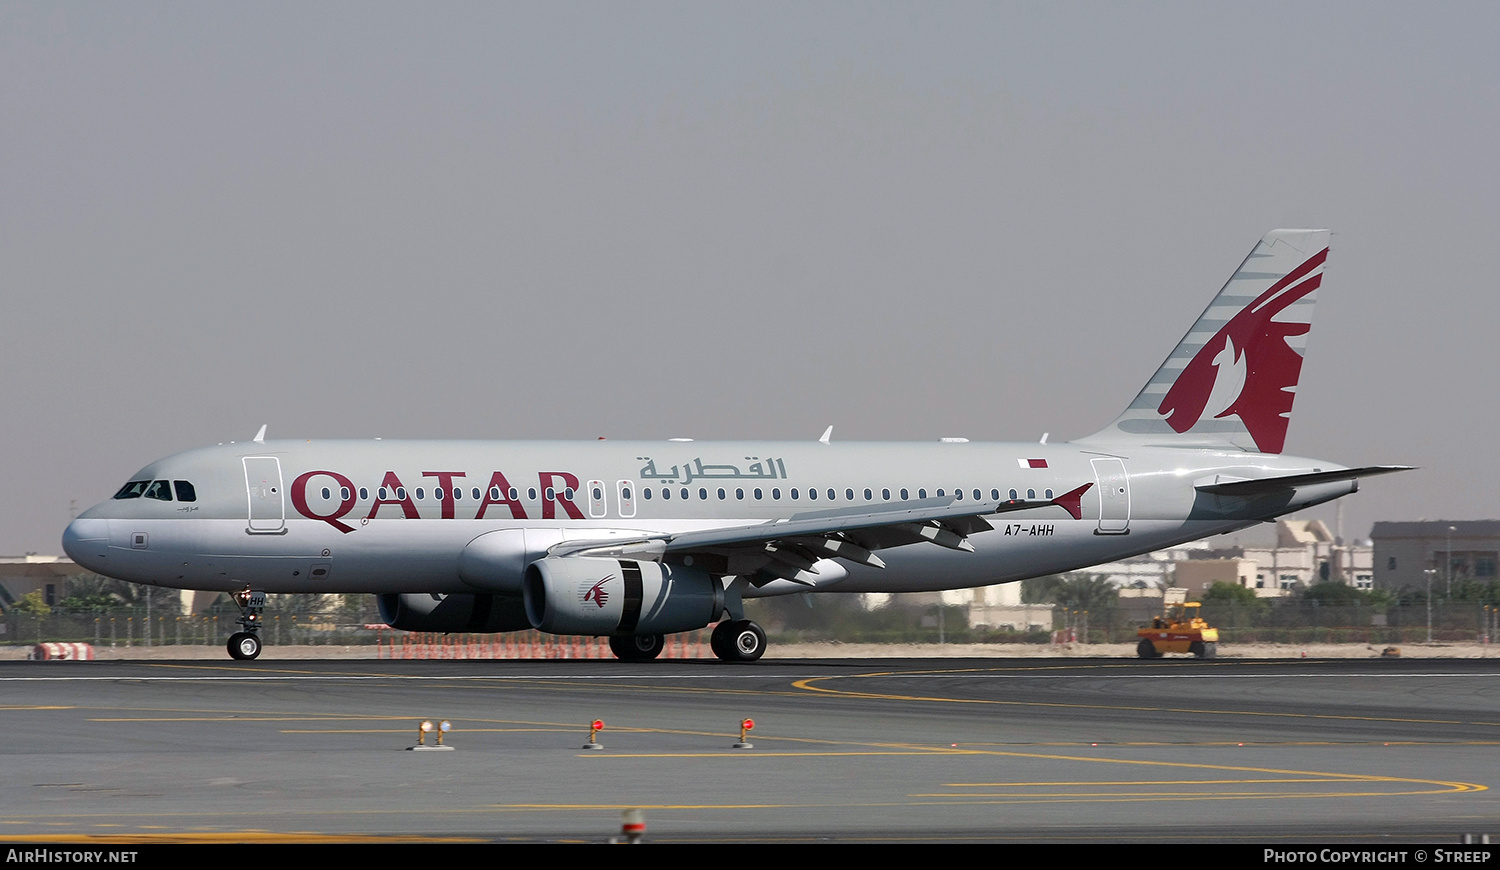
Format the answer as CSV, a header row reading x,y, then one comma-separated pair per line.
x,y
397,517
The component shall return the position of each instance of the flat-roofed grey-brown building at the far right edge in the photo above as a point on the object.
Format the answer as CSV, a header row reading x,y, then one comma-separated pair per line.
x,y
1460,550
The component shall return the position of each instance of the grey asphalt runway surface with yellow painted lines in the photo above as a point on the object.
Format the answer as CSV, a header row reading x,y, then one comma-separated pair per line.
x,y
914,751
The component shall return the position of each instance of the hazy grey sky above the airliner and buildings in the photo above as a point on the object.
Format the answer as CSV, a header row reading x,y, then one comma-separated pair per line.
x,y
728,221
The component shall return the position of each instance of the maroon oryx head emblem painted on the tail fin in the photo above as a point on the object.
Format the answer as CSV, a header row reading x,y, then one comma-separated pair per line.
x,y
1247,368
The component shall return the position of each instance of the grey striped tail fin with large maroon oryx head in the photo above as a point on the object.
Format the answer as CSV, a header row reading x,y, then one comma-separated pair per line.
x,y
1232,379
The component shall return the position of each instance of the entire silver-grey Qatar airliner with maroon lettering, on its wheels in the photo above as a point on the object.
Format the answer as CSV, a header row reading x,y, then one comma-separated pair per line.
x,y
637,541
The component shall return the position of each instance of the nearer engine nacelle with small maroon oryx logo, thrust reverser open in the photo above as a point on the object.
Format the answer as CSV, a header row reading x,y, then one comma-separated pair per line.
x,y
593,596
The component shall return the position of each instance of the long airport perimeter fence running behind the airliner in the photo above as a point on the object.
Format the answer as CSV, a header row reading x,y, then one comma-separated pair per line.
x,y
1286,622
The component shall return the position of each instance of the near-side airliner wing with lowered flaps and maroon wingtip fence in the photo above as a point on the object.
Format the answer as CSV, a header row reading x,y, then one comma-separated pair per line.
x,y
790,548
